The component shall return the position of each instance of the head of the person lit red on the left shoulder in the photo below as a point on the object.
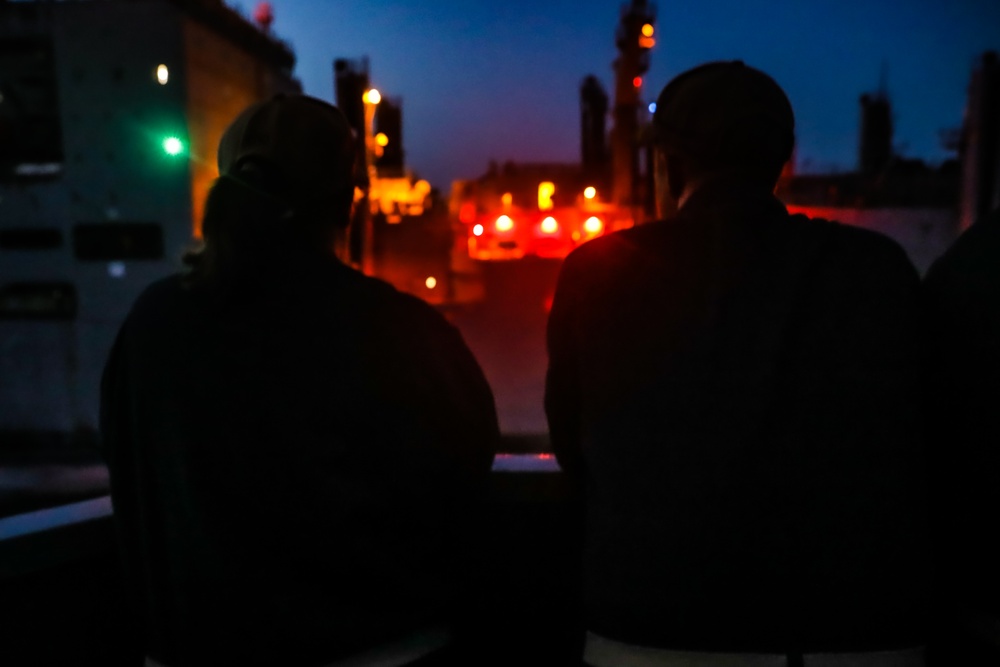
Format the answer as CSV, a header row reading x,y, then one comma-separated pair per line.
x,y
717,119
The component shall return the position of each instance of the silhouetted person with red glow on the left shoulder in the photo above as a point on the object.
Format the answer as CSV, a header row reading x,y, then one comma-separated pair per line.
x,y
734,390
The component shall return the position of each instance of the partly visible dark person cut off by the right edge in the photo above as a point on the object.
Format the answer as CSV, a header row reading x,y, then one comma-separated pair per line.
x,y
962,292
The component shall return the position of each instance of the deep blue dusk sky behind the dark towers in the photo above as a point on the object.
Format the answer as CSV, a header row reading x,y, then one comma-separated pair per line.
x,y
499,79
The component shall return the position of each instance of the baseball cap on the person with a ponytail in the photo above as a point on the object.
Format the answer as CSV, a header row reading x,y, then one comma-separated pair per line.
x,y
307,144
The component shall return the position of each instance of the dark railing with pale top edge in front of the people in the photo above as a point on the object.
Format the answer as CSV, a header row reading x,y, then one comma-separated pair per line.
x,y
62,594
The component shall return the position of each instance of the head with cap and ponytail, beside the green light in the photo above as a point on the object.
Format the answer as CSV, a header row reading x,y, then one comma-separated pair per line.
x,y
286,181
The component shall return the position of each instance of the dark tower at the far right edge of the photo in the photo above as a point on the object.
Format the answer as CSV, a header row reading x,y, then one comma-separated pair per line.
x,y
980,146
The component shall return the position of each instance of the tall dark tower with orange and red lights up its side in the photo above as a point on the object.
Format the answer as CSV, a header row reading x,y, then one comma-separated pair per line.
x,y
634,38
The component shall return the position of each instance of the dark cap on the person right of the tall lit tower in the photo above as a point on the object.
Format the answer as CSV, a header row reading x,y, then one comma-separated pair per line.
x,y
724,113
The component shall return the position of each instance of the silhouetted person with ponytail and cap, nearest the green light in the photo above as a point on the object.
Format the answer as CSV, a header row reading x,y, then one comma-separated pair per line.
x,y
295,449
